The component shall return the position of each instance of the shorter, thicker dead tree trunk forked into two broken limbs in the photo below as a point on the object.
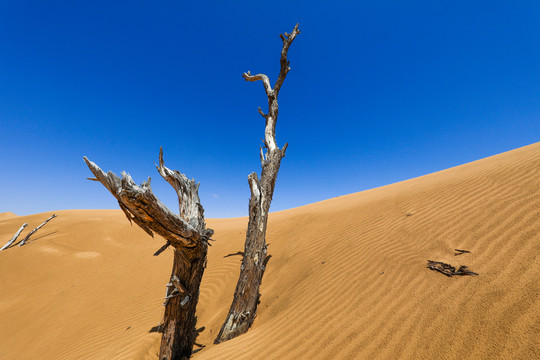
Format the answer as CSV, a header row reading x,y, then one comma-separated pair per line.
x,y
186,233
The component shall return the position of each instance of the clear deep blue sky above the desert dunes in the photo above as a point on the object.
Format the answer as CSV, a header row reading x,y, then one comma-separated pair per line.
x,y
379,92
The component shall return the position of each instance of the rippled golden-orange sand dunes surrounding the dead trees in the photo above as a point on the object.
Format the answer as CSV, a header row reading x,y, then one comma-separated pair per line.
x,y
347,278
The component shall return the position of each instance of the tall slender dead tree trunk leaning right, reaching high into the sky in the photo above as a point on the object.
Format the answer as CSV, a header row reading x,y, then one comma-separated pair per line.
x,y
246,296
